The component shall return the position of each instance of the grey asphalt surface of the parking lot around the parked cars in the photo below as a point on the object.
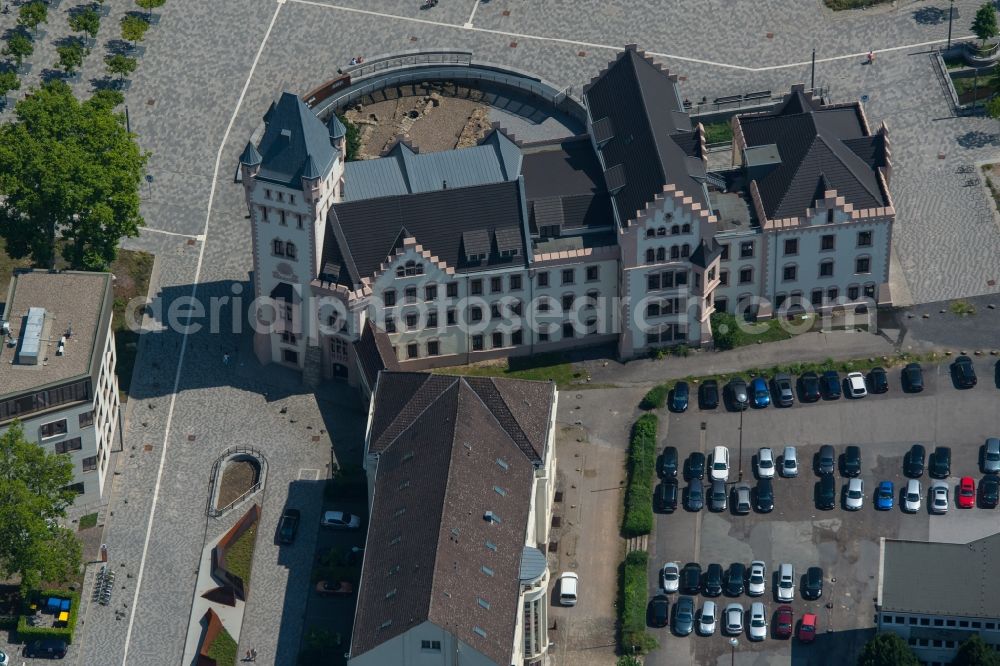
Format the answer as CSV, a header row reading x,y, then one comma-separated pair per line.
x,y
845,544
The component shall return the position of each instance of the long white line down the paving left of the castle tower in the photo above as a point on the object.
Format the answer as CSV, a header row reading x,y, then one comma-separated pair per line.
x,y
180,359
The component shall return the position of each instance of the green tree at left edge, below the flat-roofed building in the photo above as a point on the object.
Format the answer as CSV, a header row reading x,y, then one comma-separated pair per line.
x,y
34,494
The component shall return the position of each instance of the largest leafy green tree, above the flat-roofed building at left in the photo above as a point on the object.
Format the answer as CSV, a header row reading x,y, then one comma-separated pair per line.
x,y
69,178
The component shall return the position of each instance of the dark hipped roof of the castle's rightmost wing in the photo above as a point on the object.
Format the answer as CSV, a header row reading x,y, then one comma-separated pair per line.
x,y
820,148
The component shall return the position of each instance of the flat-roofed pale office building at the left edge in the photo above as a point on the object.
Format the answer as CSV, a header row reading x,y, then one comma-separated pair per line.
x,y
57,370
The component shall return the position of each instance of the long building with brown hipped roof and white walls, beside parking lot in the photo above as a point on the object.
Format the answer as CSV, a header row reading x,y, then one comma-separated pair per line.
x,y
462,478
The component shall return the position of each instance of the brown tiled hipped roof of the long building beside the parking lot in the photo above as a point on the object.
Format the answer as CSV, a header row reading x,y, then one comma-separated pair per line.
x,y
439,440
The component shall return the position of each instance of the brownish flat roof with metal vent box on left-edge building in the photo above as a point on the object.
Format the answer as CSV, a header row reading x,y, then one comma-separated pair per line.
x,y
74,300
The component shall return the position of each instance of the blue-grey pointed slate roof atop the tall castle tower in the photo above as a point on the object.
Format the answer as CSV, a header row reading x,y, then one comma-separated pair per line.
x,y
292,135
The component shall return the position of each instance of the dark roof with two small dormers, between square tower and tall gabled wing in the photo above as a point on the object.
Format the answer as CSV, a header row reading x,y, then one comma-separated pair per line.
x,y
372,229
